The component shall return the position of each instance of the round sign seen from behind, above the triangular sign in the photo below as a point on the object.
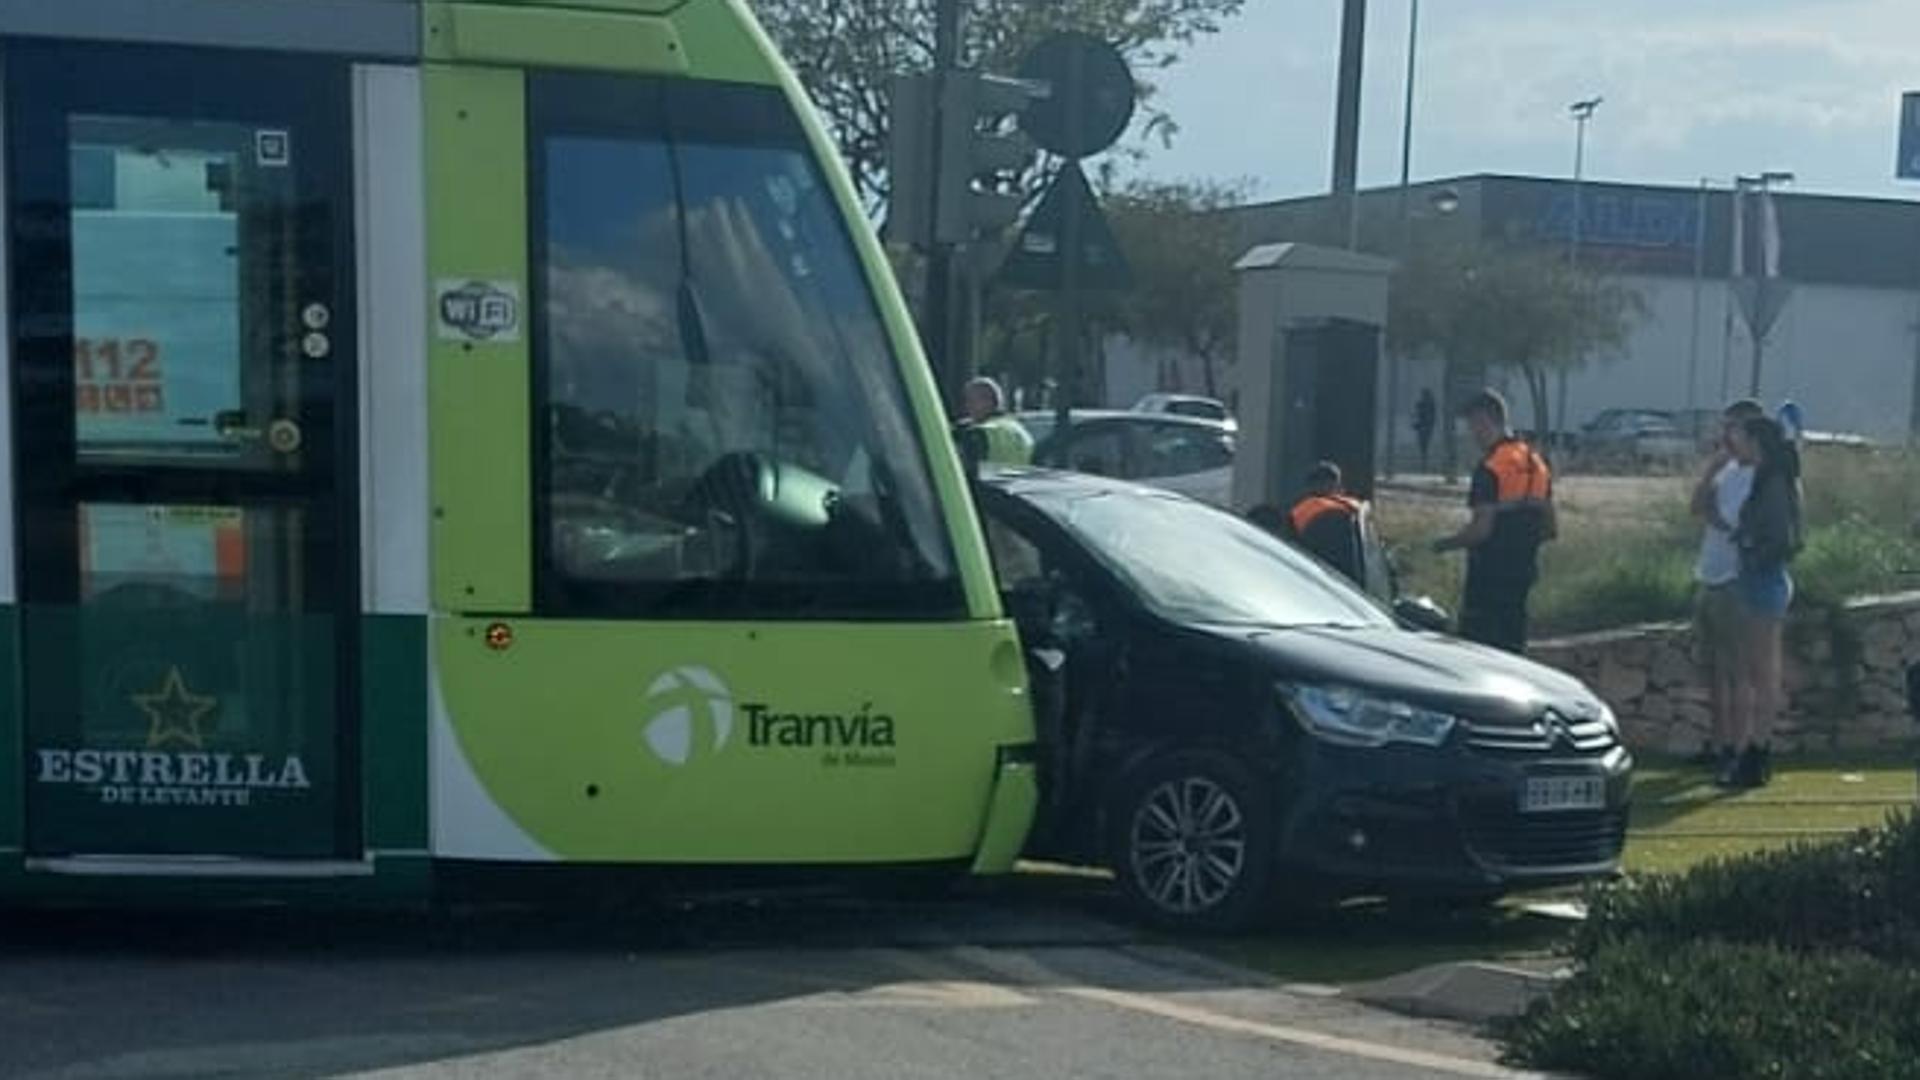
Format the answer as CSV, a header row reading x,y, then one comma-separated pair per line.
x,y
1092,101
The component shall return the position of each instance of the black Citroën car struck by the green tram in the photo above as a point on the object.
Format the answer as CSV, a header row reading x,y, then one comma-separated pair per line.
x,y
1230,725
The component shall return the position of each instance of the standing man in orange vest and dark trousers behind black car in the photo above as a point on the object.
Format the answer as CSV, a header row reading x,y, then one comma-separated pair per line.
x,y
1512,504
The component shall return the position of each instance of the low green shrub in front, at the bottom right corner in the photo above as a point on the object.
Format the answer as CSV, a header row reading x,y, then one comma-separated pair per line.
x,y
1658,1010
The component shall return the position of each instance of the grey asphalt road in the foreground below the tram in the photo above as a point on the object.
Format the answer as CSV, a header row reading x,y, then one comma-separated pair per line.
x,y
727,991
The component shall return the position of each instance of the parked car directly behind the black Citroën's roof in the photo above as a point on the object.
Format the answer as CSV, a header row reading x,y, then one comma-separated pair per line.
x,y
1182,454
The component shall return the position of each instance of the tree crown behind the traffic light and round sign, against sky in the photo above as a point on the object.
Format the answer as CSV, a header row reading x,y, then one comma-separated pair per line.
x,y
848,51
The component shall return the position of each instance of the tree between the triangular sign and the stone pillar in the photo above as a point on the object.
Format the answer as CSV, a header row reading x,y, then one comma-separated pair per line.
x,y
1180,245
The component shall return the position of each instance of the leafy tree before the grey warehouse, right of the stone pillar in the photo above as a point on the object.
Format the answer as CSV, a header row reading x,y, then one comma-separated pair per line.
x,y
1510,308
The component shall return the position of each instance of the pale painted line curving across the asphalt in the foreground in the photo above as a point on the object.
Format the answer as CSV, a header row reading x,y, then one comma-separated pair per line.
x,y
1030,971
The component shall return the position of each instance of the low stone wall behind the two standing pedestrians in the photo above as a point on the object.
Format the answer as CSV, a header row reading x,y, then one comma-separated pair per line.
x,y
1846,677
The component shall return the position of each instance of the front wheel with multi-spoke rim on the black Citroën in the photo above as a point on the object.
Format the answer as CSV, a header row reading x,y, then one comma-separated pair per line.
x,y
1193,845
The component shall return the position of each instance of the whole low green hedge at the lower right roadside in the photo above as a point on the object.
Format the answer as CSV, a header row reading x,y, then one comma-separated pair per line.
x,y
1798,964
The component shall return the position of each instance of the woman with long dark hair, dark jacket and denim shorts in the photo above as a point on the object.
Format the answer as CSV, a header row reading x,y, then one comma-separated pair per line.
x,y
1767,537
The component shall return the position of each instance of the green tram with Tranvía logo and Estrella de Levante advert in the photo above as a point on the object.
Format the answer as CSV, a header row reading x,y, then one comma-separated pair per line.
x,y
468,435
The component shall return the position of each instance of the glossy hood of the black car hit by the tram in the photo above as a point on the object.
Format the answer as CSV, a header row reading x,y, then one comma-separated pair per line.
x,y
1426,670
